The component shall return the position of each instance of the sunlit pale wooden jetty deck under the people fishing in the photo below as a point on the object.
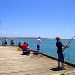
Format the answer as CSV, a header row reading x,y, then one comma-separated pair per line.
x,y
13,63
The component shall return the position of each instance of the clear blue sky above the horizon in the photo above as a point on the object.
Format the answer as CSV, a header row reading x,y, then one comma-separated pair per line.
x,y
33,18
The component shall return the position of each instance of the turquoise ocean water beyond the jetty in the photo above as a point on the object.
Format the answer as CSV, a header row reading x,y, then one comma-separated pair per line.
x,y
48,46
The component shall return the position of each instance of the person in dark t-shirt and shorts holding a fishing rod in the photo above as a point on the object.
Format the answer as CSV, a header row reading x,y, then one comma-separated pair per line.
x,y
60,53
